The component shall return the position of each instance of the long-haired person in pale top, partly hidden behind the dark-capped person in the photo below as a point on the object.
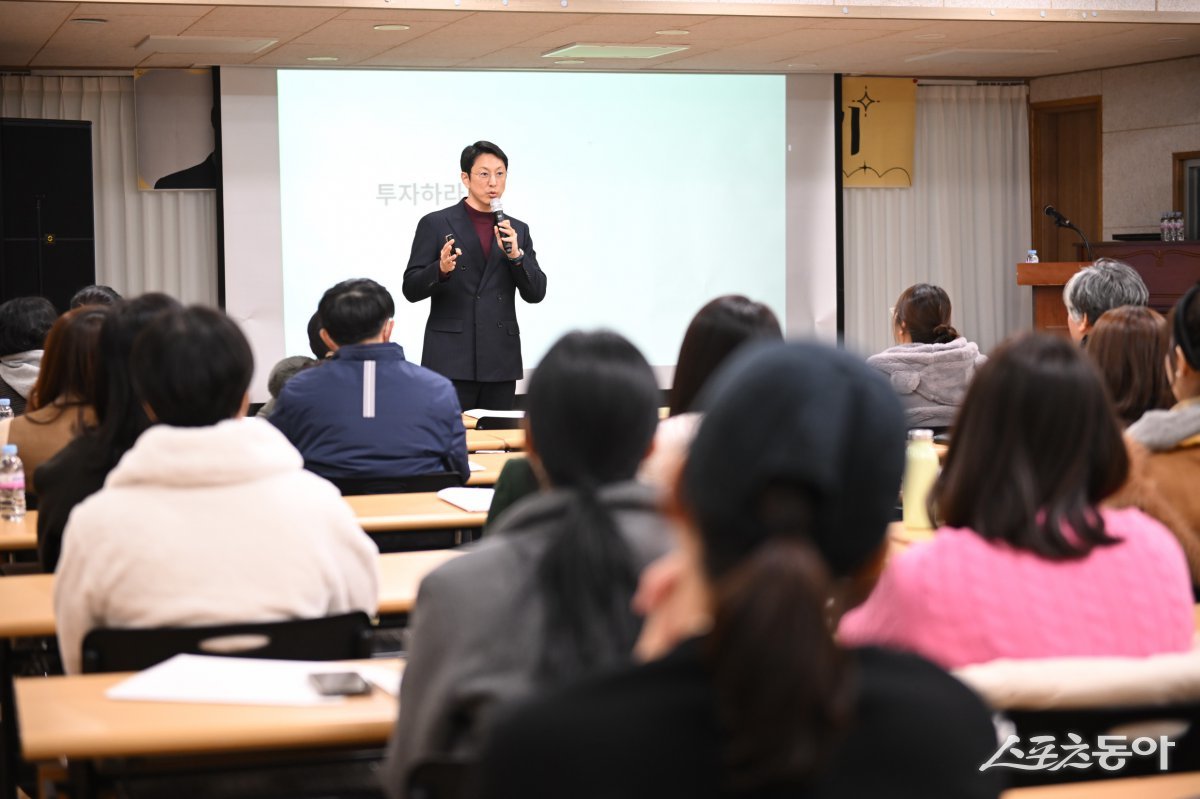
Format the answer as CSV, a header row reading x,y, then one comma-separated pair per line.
x,y
715,334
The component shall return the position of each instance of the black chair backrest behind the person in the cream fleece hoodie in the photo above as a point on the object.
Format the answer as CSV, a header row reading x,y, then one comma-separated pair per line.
x,y
334,638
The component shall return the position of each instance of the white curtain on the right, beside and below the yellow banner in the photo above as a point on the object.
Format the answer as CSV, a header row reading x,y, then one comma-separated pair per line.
x,y
964,225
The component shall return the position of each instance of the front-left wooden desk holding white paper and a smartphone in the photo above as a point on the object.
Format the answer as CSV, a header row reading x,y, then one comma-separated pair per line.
x,y
70,717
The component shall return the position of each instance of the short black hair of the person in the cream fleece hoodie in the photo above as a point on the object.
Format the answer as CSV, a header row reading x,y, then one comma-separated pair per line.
x,y
191,367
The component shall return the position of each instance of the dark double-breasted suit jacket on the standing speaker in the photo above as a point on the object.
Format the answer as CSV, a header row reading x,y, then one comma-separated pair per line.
x,y
472,333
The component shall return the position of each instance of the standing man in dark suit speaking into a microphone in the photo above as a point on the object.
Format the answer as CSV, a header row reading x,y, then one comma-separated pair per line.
x,y
472,269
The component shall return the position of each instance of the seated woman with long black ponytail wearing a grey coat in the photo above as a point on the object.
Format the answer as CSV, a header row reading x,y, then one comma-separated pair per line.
x,y
547,597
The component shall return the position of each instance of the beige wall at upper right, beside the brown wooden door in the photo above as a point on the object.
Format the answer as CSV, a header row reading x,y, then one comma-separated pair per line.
x,y
1149,112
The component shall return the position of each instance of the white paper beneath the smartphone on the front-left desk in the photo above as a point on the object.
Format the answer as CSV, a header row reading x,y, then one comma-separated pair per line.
x,y
232,681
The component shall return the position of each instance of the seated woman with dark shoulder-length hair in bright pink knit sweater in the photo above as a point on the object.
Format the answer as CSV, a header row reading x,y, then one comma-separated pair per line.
x,y
1027,563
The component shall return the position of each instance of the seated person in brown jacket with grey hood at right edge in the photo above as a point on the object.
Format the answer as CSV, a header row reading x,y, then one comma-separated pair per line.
x,y
1166,444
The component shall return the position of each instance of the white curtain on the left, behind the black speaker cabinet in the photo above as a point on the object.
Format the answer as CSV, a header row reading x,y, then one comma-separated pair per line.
x,y
146,241
